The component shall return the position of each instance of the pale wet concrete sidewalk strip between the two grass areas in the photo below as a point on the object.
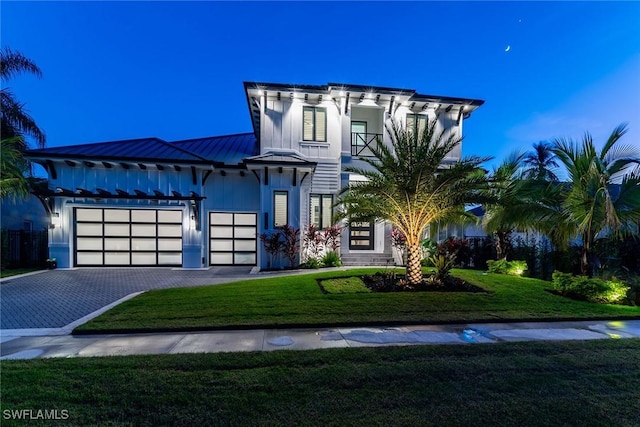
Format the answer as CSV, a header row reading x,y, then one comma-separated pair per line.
x,y
28,347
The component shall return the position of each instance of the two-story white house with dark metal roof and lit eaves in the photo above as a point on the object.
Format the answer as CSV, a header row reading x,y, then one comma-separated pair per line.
x,y
204,202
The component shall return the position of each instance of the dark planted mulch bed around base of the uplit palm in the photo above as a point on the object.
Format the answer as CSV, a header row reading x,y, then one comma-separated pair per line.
x,y
381,282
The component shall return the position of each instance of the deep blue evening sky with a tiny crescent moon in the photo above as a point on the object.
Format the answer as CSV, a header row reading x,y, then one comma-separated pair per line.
x,y
120,70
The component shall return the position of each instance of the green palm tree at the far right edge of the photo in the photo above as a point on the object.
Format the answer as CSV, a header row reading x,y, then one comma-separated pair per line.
x,y
590,206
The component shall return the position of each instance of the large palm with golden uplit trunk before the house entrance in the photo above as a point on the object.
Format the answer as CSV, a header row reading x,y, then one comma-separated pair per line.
x,y
409,186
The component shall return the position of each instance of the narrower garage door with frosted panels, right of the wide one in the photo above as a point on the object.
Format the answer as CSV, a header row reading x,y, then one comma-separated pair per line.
x,y
233,238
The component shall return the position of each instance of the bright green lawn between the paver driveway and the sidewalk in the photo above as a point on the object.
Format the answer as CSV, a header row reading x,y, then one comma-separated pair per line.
x,y
298,301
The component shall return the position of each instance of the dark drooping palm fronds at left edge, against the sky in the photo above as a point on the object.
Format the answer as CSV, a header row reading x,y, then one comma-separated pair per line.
x,y
14,120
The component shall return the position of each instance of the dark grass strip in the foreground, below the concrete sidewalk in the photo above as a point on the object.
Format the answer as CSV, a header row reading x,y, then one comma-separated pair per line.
x,y
590,383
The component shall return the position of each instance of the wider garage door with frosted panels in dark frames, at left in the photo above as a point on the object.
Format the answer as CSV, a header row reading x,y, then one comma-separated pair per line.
x,y
126,237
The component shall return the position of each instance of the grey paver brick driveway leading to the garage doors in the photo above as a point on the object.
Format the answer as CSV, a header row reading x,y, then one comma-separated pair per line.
x,y
56,298
